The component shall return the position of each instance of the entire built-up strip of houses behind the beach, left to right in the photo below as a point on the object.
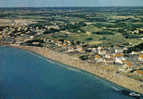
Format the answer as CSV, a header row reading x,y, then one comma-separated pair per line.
x,y
25,35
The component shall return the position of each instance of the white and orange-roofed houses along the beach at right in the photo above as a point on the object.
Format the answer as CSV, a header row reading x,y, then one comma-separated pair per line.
x,y
107,56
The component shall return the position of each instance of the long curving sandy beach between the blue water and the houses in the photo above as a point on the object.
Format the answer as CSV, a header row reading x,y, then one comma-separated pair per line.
x,y
95,69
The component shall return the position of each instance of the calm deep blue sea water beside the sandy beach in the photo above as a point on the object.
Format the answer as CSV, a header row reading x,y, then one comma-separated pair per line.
x,y
24,75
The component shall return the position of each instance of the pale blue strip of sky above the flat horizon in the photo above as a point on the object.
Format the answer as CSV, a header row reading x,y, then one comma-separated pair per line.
x,y
74,3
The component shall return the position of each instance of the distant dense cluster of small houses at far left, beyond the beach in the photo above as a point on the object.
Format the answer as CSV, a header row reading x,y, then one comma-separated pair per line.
x,y
21,33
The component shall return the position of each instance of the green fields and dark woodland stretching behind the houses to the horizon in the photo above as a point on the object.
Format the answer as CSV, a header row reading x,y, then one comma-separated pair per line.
x,y
96,26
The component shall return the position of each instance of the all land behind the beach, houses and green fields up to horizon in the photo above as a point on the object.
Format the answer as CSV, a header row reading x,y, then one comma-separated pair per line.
x,y
98,36
